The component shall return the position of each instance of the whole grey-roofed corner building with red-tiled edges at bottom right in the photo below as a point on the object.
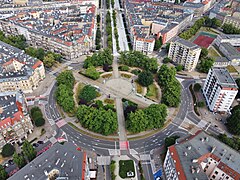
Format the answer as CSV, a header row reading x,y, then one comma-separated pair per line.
x,y
201,156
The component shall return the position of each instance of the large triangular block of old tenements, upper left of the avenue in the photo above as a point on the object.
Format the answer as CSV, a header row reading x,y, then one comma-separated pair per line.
x,y
68,30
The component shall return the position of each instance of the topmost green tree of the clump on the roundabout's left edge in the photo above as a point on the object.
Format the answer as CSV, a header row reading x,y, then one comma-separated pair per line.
x,y
66,77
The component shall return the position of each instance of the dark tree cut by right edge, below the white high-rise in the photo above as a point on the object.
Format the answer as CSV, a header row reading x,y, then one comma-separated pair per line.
x,y
233,123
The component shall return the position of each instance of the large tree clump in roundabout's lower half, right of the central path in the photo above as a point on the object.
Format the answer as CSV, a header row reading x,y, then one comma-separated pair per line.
x,y
152,117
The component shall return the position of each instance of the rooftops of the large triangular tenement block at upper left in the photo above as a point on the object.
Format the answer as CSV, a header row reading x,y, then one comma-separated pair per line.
x,y
68,24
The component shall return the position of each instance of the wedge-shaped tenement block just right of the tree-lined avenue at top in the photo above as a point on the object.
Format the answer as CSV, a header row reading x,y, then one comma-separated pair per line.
x,y
146,20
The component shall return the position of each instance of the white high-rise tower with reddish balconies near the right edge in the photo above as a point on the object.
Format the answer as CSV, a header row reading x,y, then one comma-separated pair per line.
x,y
219,89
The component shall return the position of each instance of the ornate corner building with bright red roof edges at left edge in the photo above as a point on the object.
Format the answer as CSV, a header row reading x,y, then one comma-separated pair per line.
x,y
15,123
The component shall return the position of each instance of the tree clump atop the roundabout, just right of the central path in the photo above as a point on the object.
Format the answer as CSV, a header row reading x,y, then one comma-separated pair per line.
x,y
138,59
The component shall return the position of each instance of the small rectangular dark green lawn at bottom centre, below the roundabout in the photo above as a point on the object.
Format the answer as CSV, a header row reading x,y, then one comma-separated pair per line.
x,y
126,166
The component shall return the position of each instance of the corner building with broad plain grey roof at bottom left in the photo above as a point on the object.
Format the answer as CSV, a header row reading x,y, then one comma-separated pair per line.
x,y
59,162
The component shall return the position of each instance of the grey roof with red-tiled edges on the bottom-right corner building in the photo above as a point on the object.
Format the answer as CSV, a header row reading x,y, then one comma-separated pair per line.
x,y
194,150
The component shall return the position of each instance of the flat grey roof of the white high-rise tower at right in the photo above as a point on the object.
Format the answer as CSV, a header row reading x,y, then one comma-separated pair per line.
x,y
224,77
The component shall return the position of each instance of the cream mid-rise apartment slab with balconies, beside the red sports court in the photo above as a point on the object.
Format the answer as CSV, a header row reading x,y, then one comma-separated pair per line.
x,y
185,53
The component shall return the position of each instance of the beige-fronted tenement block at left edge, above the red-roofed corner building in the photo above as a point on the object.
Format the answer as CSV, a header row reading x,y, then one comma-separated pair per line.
x,y
19,71
